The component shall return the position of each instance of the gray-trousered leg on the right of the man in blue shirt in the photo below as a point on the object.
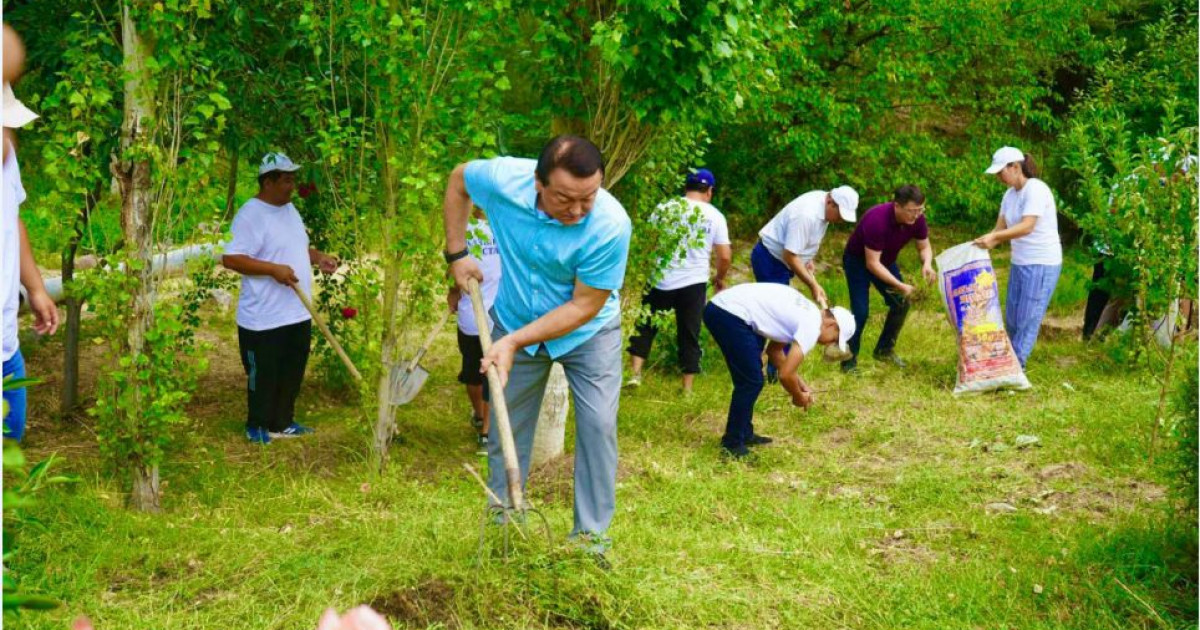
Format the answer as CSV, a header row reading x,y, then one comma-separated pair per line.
x,y
593,371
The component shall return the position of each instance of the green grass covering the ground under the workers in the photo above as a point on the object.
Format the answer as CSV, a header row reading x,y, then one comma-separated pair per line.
x,y
869,512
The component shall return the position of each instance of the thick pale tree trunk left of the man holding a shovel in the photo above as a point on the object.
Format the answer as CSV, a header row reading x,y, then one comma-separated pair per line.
x,y
137,208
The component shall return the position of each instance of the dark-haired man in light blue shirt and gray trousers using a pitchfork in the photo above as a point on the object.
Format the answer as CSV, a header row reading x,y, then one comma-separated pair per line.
x,y
566,247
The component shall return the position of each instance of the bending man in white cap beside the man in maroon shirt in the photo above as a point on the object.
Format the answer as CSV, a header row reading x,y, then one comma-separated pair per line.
x,y
791,241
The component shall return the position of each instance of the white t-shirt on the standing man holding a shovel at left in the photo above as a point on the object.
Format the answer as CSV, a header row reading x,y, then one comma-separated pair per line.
x,y
277,235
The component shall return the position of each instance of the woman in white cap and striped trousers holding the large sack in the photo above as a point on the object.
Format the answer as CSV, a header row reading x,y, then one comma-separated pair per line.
x,y
1029,220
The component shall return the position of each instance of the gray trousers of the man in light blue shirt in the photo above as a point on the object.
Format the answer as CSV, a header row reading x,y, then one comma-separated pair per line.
x,y
593,371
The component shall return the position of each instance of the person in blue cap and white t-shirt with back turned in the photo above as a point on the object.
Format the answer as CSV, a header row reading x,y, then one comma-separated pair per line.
x,y
685,285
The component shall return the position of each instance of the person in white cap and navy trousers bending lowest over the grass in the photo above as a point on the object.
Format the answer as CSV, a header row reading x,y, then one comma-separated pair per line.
x,y
746,317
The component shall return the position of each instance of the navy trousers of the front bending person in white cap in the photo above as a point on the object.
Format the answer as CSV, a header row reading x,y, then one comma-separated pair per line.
x,y
742,349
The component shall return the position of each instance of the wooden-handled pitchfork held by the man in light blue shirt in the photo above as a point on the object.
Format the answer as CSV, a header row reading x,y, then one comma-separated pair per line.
x,y
518,512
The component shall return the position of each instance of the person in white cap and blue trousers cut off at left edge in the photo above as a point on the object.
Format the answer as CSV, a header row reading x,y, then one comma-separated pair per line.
x,y
17,268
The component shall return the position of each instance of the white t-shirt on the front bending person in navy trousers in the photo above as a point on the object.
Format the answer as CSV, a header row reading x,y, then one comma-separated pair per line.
x,y
775,311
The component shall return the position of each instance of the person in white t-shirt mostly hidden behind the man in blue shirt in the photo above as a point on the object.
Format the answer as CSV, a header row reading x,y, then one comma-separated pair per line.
x,y
482,248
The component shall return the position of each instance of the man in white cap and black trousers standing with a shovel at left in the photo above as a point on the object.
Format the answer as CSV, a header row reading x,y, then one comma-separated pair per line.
x,y
271,250
